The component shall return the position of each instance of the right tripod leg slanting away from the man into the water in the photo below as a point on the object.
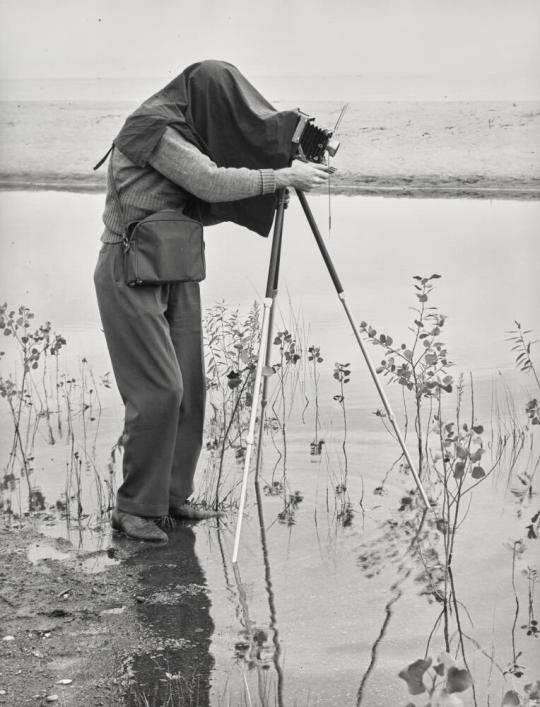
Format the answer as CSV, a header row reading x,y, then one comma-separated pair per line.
x,y
341,295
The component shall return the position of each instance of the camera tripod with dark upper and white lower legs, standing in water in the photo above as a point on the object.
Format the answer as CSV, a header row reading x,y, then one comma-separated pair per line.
x,y
265,351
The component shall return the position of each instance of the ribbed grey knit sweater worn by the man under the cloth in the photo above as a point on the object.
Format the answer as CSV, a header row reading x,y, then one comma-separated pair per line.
x,y
177,170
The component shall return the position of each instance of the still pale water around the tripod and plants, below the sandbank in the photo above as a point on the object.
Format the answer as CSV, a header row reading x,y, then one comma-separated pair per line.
x,y
318,611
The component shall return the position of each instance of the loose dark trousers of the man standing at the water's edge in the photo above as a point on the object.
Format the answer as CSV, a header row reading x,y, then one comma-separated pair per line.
x,y
154,338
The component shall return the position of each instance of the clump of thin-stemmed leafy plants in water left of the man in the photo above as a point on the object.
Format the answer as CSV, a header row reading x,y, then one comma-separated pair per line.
x,y
38,395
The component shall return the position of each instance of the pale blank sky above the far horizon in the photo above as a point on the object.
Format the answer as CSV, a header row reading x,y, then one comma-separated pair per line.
x,y
150,38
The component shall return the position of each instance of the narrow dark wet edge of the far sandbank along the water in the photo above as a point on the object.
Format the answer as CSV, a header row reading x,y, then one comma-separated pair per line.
x,y
397,186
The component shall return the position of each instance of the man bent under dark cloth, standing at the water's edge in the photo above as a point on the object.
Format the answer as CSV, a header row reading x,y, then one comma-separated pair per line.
x,y
210,144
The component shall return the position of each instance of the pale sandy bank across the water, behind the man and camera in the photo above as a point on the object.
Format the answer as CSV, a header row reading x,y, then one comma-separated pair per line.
x,y
415,149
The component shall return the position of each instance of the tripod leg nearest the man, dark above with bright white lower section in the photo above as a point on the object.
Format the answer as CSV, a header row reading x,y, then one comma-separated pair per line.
x,y
264,348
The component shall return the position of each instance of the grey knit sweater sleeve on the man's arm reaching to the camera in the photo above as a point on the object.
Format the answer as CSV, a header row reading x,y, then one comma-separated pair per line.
x,y
185,165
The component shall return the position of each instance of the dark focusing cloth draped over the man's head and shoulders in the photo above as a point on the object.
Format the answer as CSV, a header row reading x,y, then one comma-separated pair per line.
x,y
212,105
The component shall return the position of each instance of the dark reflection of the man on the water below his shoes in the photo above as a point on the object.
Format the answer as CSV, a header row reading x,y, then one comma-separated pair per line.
x,y
176,612
